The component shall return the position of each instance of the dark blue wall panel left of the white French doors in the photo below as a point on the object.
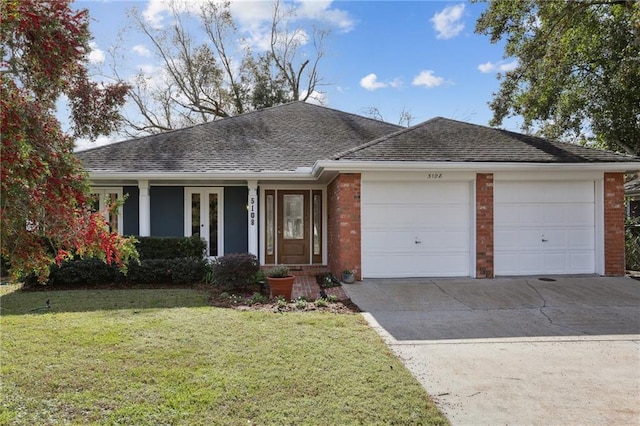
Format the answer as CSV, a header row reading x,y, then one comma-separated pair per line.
x,y
167,211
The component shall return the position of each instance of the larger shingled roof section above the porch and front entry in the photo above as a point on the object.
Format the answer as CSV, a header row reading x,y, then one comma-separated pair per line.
x,y
280,138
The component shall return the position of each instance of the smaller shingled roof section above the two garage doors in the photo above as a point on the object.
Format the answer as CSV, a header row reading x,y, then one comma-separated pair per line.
x,y
442,139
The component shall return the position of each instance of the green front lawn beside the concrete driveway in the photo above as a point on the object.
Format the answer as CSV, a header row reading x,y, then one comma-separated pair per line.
x,y
166,357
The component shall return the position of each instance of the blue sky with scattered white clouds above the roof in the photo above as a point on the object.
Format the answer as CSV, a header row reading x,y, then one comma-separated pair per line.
x,y
420,57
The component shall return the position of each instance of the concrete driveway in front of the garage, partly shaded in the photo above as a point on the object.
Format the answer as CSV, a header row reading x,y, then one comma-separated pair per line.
x,y
548,350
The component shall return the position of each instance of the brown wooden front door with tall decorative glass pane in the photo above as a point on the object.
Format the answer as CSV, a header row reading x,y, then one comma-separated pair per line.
x,y
293,227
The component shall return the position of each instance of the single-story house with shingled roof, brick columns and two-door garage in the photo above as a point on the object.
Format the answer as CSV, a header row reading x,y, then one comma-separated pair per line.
x,y
314,187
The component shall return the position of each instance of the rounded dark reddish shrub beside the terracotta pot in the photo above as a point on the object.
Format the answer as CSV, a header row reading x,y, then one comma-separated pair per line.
x,y
236,270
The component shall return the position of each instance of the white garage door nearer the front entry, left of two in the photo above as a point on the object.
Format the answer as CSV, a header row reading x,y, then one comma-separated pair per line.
x,y
415,229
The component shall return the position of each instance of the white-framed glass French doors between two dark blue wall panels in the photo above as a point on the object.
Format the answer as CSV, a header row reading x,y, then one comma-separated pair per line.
x,y
203,217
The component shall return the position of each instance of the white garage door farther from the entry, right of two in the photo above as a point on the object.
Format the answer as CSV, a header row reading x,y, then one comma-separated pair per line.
x,y
544,228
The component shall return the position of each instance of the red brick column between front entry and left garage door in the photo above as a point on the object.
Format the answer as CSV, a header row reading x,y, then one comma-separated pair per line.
x,y
343,224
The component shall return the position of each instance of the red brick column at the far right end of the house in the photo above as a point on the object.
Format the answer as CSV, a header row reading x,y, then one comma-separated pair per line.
x,y
614,260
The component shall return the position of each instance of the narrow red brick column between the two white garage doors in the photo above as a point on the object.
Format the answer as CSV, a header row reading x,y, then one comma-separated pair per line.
x,y
484,225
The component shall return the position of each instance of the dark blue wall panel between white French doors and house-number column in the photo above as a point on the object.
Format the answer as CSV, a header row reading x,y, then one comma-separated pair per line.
x,y
235,219
